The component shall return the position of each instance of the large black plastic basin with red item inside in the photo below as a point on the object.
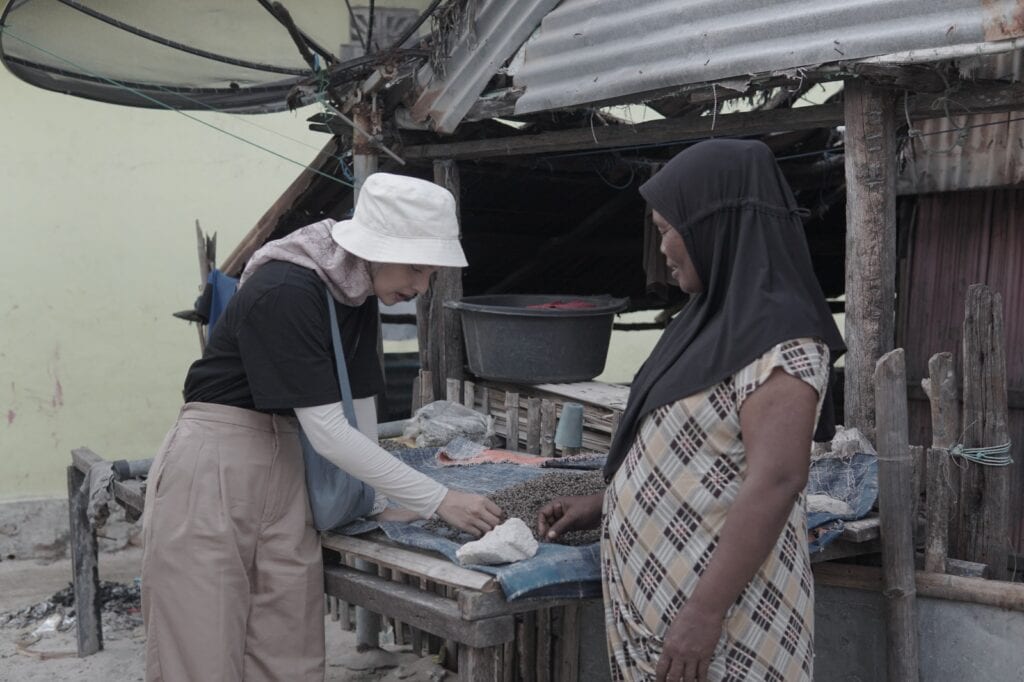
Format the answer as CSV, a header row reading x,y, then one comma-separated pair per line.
x,y
507,340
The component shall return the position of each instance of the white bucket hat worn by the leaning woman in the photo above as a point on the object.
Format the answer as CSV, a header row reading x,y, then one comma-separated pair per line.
x,y
401,220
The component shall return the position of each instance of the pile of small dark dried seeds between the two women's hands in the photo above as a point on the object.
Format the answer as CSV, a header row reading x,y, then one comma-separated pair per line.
x,y
525,500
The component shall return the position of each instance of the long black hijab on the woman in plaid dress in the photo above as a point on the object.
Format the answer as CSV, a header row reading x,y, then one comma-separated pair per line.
x,y
740,223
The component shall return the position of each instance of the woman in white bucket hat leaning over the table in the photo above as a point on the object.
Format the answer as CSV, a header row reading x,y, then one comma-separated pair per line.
x,y
233,577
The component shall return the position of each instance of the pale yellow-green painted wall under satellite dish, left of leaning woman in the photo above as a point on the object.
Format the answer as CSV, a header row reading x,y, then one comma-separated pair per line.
x,y
98,211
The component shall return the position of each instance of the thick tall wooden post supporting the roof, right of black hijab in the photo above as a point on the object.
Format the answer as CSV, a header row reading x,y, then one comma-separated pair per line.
x,y
871,244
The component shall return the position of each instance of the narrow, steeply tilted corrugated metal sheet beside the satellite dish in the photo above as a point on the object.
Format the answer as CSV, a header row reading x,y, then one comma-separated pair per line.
x,y
500,29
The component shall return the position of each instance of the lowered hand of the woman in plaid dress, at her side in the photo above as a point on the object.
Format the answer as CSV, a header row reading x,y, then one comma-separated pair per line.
x,y
690,645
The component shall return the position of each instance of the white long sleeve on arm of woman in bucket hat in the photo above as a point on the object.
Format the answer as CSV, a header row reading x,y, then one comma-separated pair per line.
x,y
357,452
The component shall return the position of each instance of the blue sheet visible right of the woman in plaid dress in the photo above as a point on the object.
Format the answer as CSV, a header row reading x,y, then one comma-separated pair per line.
x,y
855,481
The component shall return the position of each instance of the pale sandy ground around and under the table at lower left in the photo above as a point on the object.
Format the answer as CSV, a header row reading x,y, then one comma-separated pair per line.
x,y
27,583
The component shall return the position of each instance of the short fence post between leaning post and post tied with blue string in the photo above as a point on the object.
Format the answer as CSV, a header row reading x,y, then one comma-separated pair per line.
x,y
942,391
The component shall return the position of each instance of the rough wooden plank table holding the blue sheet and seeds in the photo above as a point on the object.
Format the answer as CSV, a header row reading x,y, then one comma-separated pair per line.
x,y
455,611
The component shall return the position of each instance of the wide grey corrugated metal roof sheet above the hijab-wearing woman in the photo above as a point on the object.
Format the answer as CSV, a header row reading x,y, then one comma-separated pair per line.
x,y
590,52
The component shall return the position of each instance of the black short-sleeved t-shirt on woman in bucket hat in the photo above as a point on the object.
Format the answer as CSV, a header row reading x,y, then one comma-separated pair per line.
x,y
272,352
